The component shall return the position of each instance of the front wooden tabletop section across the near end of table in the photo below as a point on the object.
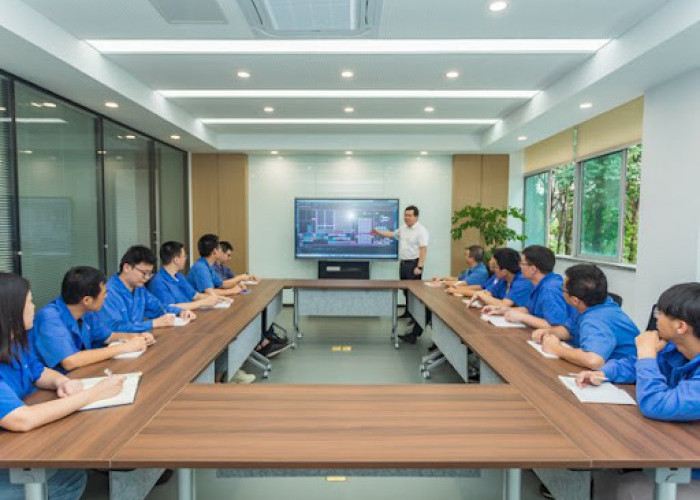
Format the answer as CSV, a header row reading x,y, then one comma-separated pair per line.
x,y
349,426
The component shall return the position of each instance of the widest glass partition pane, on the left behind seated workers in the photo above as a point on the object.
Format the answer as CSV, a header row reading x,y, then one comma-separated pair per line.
x,y
57,180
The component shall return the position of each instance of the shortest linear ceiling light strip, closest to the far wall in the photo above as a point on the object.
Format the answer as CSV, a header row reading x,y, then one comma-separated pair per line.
x,y
348,121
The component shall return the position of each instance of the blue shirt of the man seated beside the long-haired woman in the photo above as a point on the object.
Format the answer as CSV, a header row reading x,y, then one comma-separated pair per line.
x,y
57,335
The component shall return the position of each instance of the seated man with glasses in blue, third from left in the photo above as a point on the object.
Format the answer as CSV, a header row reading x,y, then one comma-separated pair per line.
x,y
129,306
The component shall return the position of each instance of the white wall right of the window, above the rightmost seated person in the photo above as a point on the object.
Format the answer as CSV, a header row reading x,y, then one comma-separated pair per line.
x,y
669,217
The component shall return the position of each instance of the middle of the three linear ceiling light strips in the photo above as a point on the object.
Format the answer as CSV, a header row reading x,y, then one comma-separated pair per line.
x,y
351,94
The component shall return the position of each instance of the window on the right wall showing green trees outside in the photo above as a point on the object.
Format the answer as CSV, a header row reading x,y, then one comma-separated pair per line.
x,y
593,207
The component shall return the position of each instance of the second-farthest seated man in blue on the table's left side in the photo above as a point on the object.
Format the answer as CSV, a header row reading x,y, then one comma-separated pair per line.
x,y
203,276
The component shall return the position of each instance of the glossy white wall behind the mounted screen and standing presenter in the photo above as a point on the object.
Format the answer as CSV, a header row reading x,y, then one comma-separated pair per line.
x,y
273,185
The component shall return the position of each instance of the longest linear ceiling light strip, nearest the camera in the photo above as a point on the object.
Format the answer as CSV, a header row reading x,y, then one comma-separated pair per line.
x,y
359,46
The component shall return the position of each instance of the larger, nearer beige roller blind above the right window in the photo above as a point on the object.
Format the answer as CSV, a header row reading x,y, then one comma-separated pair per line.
x,y
617,128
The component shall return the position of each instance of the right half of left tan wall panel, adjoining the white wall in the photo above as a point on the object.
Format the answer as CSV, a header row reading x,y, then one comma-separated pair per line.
x,y
233,207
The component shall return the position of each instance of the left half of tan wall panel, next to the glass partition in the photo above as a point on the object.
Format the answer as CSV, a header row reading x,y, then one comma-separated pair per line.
x,y
205,197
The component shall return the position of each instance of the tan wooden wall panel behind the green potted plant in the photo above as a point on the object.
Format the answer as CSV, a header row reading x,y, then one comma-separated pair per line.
x,y
476,179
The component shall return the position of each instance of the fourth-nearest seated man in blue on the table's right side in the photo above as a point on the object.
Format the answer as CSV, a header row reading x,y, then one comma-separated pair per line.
x,y
511,289
